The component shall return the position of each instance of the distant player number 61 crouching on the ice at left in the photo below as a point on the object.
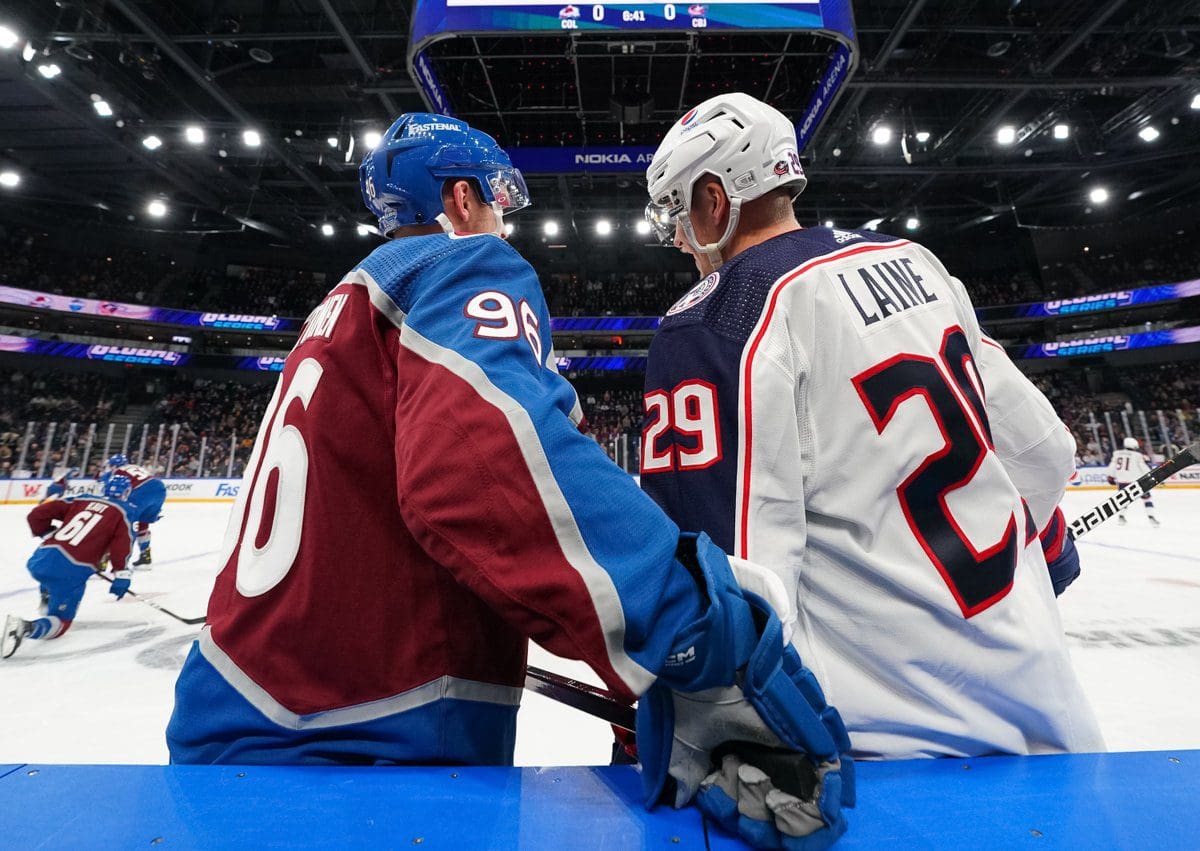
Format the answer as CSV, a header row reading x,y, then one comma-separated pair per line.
x,y
77,534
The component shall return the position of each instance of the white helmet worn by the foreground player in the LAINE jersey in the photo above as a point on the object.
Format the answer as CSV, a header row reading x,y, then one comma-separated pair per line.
x,y
747,145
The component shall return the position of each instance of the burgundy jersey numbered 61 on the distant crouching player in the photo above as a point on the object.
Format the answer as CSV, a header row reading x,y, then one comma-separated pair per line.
x,y
89,529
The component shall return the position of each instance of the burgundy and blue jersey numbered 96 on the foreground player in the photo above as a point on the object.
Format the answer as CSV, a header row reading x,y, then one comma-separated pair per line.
x,y
421,502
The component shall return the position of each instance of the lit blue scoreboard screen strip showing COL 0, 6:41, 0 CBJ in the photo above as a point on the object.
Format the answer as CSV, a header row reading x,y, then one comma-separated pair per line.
x,y
433,19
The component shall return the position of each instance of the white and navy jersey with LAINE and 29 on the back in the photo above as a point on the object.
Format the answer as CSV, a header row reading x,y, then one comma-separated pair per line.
x,y
826,405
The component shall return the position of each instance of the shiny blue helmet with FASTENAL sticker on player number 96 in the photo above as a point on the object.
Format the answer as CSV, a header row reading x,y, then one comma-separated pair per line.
x,y
401,178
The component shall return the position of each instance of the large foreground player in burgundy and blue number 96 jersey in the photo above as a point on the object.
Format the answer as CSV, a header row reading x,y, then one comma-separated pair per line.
x,y
421,502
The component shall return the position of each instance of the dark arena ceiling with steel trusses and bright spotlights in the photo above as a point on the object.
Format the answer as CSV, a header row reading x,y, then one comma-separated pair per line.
x,y
309,76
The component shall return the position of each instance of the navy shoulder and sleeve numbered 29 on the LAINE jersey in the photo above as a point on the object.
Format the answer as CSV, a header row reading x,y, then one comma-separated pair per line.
x,y
693,382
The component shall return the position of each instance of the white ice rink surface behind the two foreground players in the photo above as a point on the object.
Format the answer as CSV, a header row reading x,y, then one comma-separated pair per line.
x,y
104,692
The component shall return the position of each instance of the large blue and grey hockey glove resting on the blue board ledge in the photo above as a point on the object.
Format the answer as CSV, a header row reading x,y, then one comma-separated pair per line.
x,y
763,754
